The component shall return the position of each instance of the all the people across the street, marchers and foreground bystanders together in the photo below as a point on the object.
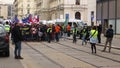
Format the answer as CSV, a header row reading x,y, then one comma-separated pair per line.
x,y
52,32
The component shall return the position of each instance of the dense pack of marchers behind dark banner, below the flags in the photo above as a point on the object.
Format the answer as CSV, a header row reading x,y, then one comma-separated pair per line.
x,y
42,32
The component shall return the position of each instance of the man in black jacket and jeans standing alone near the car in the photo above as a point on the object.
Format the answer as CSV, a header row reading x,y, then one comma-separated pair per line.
x,y
17,38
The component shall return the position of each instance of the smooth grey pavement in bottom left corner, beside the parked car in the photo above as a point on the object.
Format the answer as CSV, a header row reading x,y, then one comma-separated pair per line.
x,y
10,62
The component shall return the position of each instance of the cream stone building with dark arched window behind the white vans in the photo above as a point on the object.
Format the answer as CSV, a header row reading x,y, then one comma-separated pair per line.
x,y
57,9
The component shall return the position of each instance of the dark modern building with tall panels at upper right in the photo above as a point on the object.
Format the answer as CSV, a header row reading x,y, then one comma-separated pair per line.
x,y
108,13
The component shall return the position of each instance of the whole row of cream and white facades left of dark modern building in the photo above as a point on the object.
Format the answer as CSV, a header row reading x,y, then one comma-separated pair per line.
x,y
58,9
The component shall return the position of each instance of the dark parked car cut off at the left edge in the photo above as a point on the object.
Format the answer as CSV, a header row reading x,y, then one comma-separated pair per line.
x,y
4,42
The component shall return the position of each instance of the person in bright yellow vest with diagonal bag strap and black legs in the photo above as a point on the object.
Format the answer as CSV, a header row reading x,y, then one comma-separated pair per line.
x,y
93,38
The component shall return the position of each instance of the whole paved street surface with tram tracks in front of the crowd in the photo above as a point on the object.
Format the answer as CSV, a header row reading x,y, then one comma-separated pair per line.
x,y
63,54
